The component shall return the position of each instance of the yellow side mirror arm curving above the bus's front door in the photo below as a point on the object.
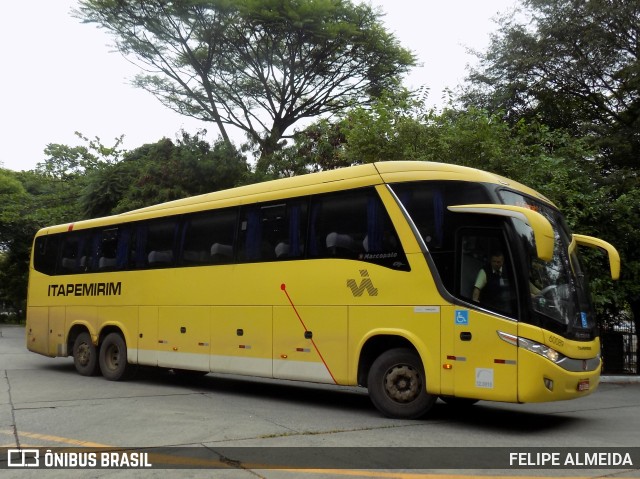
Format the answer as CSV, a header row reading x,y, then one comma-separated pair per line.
x,y
542,229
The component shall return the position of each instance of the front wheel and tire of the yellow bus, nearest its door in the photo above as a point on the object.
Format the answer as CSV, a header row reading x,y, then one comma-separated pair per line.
x,y
397,385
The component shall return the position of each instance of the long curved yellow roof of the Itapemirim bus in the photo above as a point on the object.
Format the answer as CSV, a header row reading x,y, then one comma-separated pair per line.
x,y
332,180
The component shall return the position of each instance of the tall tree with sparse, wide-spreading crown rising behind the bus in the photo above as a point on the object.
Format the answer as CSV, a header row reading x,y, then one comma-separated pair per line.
x,y
257,65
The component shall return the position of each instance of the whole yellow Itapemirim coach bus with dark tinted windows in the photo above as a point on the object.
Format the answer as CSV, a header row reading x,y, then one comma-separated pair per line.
x,y
376,275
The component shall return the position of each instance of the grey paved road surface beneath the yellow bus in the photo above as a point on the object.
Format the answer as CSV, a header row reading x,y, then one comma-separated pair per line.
x,y
44,403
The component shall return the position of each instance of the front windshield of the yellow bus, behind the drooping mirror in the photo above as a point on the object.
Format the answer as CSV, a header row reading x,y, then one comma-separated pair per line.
x,y
559,299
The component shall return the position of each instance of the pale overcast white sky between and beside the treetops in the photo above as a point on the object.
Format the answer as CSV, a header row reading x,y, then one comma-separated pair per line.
x,y
59,76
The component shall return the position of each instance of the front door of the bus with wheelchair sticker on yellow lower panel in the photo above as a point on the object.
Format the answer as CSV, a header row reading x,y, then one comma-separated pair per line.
x,y
483,363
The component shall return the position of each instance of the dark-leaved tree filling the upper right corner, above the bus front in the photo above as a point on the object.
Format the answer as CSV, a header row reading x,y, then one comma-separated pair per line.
x,y
571,64
